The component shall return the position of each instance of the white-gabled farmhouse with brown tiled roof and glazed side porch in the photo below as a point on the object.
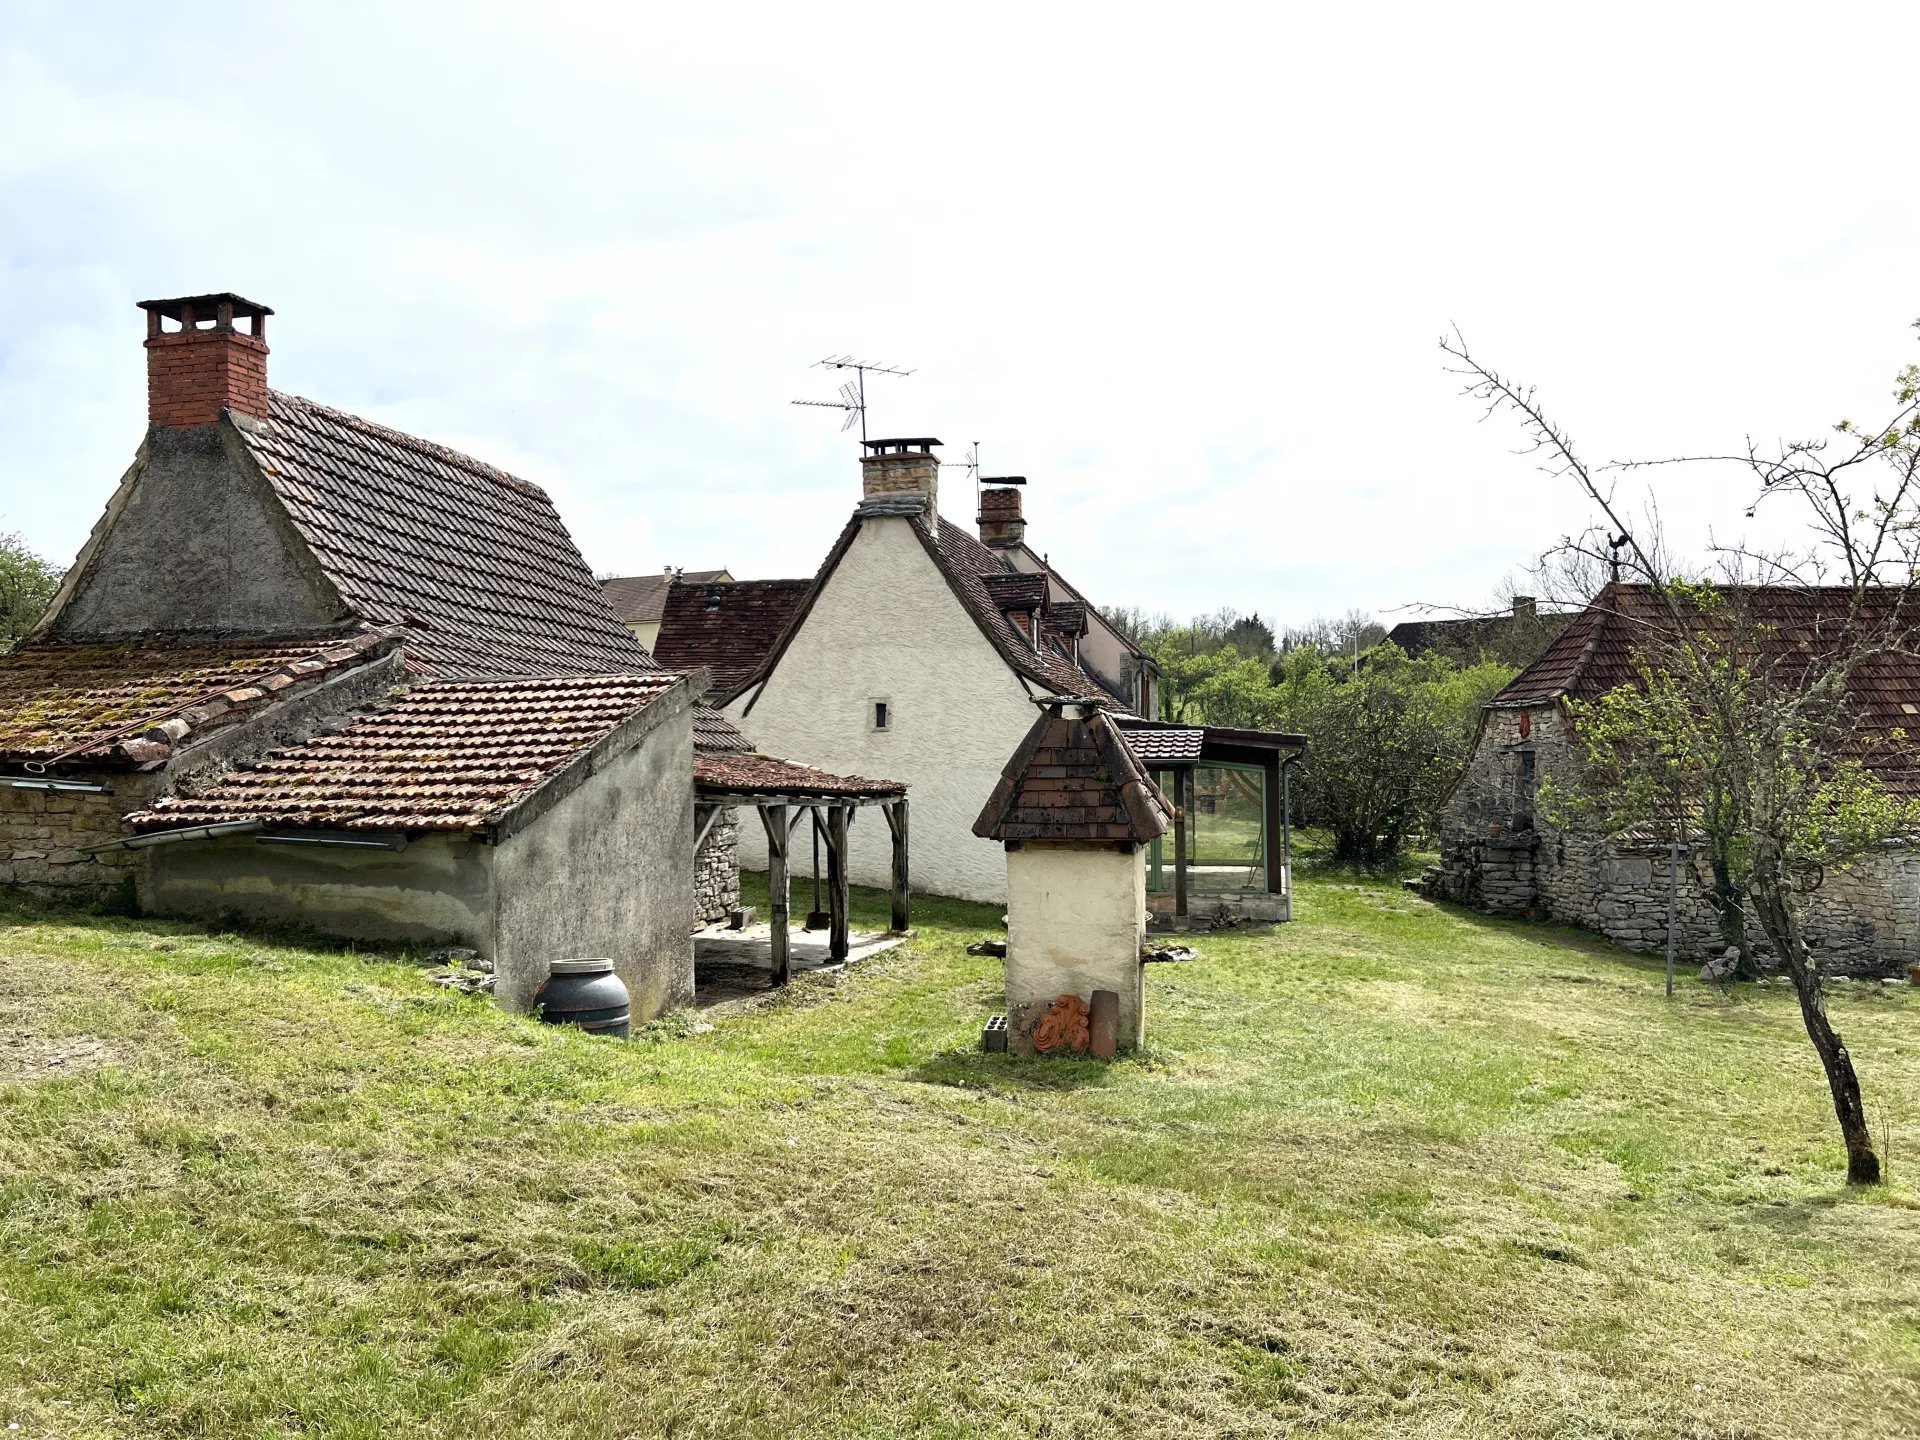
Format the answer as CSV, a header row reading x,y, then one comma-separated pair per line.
x,y
919,650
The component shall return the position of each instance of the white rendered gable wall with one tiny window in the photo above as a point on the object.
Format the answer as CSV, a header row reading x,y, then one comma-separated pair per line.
x,y
888,627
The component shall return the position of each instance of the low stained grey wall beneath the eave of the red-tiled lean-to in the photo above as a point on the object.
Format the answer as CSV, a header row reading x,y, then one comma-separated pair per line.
x,y
439,890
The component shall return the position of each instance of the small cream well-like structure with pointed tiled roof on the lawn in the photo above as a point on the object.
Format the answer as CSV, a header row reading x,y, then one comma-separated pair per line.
x,y
1076,813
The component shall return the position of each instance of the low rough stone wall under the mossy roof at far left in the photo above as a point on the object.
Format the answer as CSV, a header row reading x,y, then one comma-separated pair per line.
x,y
43,836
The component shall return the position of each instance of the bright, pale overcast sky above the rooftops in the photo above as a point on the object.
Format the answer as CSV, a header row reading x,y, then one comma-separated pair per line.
x,y
1182,266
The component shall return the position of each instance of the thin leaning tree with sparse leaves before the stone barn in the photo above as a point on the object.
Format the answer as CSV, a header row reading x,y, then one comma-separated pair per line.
x,y
1746,719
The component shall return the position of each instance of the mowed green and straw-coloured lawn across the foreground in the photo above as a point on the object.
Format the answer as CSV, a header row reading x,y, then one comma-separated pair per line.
x,y
1387,1172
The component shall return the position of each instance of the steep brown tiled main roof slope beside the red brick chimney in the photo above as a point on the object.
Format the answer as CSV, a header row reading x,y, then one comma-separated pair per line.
x,y
471,560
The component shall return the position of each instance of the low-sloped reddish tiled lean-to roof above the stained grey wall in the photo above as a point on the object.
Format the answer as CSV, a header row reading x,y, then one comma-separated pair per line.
x,y
443,756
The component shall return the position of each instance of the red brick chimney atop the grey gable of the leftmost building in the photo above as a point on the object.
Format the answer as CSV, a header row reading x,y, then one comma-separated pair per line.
x,y
204,364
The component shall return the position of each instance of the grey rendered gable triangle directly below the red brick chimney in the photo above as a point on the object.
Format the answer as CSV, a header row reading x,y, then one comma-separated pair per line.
x,y
195,542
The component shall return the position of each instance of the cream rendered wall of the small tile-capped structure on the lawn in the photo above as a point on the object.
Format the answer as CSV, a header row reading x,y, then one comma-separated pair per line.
x,y
1074,924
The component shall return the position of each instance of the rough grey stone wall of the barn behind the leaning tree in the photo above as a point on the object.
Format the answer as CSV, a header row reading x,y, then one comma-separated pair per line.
x,y
1500,857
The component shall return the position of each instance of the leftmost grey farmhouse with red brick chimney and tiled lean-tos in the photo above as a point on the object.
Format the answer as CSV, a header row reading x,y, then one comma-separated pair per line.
x,y
320,673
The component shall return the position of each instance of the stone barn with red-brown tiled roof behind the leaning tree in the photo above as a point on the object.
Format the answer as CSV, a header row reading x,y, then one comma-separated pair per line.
x,y
1502,855
